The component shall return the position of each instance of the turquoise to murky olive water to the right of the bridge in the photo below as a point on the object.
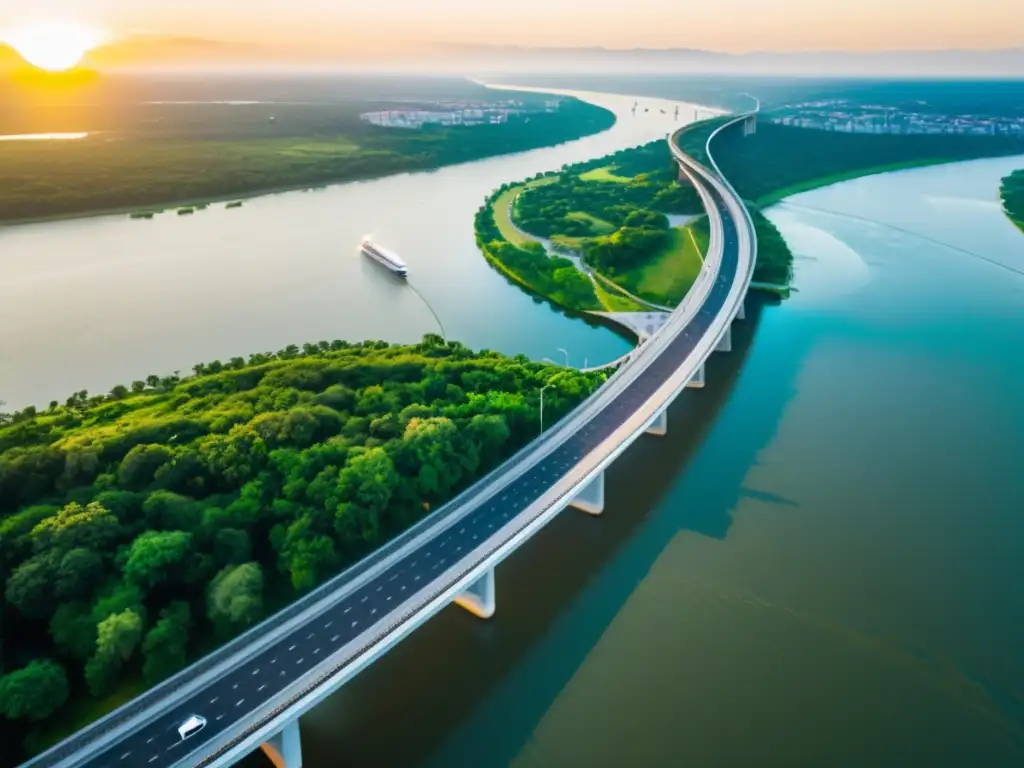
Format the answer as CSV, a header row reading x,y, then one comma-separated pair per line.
x,y
821,565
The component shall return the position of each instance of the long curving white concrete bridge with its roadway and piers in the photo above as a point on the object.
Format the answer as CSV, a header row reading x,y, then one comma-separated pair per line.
x,y
253,691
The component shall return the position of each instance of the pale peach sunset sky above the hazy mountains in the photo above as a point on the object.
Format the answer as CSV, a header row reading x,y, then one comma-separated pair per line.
x,y
720,25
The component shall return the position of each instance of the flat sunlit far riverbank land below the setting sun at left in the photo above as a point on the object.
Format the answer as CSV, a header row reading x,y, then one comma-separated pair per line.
x,y
190,148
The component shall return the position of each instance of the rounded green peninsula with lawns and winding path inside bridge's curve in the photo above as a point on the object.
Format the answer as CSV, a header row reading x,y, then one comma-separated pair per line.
x,y
610,215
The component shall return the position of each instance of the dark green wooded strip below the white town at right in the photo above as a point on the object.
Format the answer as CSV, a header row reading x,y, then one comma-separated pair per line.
x,y
779,161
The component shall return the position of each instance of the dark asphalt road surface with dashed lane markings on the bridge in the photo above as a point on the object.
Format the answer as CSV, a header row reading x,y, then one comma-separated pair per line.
x,y
233,699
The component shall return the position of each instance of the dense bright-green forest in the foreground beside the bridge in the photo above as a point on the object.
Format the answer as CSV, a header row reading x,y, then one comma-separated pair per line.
x,y
145,527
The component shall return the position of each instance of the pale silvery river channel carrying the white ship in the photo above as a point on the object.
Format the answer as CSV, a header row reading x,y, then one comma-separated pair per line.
x,y
94,303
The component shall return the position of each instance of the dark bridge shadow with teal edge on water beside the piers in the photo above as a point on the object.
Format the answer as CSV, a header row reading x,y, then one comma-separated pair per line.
x,y
445,697
